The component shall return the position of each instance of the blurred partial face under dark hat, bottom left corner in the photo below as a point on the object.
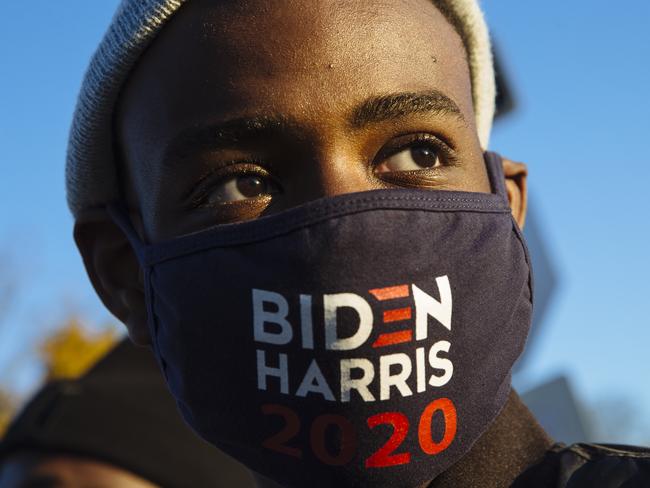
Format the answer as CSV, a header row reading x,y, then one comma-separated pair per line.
x,y
25,469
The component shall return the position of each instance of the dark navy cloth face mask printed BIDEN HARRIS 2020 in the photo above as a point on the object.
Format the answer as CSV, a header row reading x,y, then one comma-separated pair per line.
x,y
362,340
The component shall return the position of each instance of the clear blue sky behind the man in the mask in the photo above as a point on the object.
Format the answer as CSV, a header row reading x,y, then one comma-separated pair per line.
x,y
580,72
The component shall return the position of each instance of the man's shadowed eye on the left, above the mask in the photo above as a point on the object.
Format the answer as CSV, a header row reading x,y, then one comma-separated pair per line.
x,y
241,182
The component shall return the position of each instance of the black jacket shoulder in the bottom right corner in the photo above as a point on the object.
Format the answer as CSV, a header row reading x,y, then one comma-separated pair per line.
x,y
589,465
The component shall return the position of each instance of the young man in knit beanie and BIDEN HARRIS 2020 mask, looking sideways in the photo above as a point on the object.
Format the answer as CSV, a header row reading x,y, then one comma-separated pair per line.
x,y
292,203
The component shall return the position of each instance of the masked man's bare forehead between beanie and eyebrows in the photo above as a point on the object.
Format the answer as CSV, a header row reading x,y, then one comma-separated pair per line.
x,y
305,59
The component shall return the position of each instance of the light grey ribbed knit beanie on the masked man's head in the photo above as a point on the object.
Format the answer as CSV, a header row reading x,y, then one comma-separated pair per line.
x,y
91,173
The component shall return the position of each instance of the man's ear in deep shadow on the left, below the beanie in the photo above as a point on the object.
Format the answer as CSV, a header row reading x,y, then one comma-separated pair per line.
x,y
113,270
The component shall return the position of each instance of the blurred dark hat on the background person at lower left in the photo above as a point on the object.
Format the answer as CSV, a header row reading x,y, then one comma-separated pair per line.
x,y
121,413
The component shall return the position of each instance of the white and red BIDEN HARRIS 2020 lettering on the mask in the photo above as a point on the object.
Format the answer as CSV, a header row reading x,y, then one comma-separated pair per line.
x,y
387,375
